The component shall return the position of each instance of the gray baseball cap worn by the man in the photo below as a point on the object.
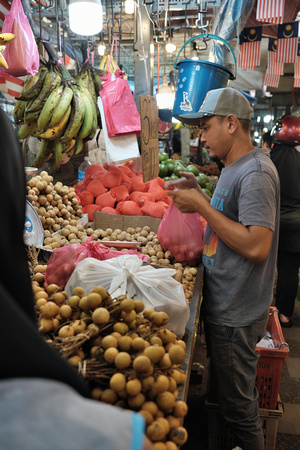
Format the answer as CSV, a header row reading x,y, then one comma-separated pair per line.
x,y
220,102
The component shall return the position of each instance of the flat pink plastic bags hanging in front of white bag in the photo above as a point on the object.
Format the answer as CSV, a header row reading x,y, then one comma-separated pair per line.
x,y
120,111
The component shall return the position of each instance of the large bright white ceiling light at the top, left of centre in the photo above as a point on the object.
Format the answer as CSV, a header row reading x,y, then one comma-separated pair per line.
x,y
86,17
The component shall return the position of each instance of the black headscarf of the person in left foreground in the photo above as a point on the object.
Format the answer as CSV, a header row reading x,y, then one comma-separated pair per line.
x,y
24,352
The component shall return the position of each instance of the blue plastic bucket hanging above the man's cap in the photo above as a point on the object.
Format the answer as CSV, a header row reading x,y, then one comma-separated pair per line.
x,y
195,78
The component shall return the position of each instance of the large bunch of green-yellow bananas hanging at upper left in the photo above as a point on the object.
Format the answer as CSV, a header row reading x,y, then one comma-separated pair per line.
x,y
58,110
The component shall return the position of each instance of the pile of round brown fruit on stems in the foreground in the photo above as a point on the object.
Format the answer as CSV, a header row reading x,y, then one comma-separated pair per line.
x,y
123,350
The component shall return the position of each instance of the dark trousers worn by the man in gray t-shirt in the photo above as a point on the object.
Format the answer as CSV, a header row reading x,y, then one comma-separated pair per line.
x,y
232,353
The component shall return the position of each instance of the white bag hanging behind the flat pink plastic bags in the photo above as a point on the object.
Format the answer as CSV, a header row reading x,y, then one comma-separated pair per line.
x,y
119,148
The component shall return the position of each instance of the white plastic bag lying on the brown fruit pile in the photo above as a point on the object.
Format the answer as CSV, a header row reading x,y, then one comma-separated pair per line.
x,y
126,275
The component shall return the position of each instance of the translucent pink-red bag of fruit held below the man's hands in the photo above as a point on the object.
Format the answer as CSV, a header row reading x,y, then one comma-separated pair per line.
x,y
181,234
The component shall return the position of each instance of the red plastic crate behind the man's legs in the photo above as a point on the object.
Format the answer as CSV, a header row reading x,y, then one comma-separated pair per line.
x,y
270,363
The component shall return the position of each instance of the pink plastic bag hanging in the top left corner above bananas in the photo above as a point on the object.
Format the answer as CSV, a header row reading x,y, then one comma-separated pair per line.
x,y
21,54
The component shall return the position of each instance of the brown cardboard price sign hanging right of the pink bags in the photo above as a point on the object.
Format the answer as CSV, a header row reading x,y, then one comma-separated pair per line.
x,y
149,137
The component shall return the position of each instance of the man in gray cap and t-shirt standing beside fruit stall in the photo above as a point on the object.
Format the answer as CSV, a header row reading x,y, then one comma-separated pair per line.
x,y
239,254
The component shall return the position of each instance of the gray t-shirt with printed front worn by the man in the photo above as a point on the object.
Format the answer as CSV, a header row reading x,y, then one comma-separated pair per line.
x,y
236,291
